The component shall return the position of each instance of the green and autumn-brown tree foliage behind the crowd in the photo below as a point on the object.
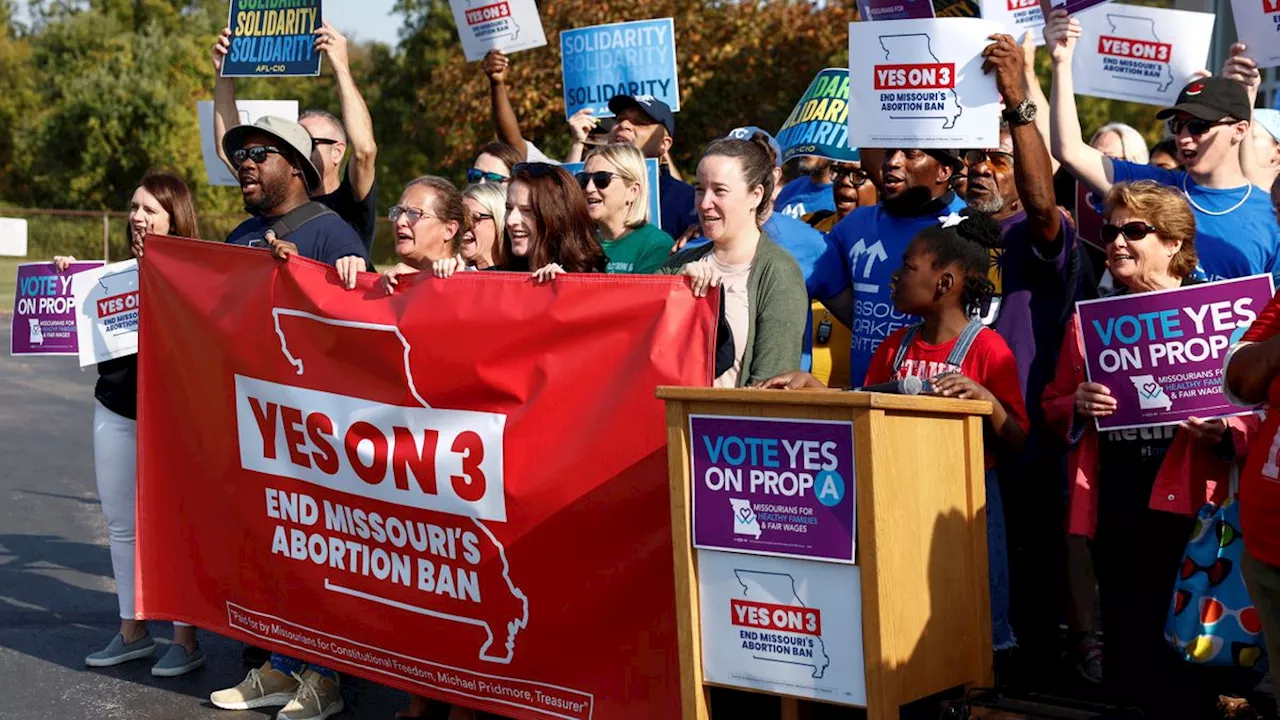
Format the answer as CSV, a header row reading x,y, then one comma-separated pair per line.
x,y
94,93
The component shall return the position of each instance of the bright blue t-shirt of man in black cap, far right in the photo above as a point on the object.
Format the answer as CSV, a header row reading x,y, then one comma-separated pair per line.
x,y
1236,236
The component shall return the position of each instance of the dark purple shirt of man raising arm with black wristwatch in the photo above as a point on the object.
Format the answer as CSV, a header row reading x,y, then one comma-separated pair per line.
x,y
1034,323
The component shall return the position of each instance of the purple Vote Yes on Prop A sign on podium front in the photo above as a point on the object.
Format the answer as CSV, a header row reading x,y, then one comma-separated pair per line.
x,y
774,487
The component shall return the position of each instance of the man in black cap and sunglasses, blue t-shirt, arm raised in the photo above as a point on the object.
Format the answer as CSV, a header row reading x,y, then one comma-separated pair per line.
x,y
1236,226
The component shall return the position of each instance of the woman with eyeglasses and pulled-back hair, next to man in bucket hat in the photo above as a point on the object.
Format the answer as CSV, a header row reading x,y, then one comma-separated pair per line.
x,y
429,221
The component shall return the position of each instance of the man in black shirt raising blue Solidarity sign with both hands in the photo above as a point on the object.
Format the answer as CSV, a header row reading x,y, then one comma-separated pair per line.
x,y
354,197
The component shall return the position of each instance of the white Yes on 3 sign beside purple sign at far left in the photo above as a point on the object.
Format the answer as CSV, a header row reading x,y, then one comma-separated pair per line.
x,y
107,312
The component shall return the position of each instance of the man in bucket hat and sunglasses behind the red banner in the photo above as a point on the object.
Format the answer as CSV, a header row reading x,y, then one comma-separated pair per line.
x,y
276,177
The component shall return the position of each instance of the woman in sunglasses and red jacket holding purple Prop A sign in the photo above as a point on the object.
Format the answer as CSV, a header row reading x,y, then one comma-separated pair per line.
x,y
1122,482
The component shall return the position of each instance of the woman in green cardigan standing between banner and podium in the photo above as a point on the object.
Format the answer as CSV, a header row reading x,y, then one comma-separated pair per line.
x,y
765,298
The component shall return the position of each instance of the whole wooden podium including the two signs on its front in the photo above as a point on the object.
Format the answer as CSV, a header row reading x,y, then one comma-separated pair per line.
x,y
829,546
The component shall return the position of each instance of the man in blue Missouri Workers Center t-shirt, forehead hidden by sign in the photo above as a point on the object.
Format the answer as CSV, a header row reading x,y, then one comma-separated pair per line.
x,y
863,252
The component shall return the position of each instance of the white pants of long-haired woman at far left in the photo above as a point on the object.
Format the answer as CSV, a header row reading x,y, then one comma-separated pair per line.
x,y
116,463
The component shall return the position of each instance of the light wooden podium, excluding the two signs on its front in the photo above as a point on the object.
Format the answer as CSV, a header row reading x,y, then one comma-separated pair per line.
x,y
921,539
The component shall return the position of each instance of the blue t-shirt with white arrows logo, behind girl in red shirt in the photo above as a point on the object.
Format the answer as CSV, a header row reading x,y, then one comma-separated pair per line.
x,y
865,250
